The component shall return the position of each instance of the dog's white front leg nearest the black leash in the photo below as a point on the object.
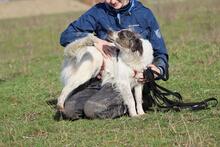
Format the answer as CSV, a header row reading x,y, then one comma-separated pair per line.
x,y
138,98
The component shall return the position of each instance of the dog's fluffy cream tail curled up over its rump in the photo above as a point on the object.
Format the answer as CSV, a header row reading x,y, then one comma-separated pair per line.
x,y
77,49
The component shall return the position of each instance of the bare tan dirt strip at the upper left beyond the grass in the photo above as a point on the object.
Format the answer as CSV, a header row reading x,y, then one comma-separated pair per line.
x,y
25,8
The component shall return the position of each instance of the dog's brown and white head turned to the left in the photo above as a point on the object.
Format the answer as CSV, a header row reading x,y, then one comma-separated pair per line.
x,y
126,40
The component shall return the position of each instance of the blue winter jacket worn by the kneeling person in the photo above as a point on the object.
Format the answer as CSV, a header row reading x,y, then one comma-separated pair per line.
x,y
101,18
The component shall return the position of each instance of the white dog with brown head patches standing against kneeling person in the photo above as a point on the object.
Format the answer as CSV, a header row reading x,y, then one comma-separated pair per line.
x,y
83,61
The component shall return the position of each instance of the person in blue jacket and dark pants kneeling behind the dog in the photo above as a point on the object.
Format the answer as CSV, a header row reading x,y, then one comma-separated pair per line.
x,y
91,99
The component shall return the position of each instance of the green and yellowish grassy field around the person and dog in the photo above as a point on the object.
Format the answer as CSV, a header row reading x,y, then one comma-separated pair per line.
x,y
30,60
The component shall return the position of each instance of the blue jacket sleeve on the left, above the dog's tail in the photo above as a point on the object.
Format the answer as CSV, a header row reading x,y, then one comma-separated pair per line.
x,y
79,28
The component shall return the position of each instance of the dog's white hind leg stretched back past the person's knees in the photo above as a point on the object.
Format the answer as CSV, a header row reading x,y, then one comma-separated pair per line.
x,y
87,69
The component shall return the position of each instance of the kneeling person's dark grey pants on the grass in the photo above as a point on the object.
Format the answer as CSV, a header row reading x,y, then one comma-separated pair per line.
x,y
95,101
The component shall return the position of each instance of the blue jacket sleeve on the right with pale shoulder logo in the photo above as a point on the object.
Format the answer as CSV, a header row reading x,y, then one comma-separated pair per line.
x,y
160,50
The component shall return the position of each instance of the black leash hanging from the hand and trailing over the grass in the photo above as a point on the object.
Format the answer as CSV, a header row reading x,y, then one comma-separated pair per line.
x,y
160,96
